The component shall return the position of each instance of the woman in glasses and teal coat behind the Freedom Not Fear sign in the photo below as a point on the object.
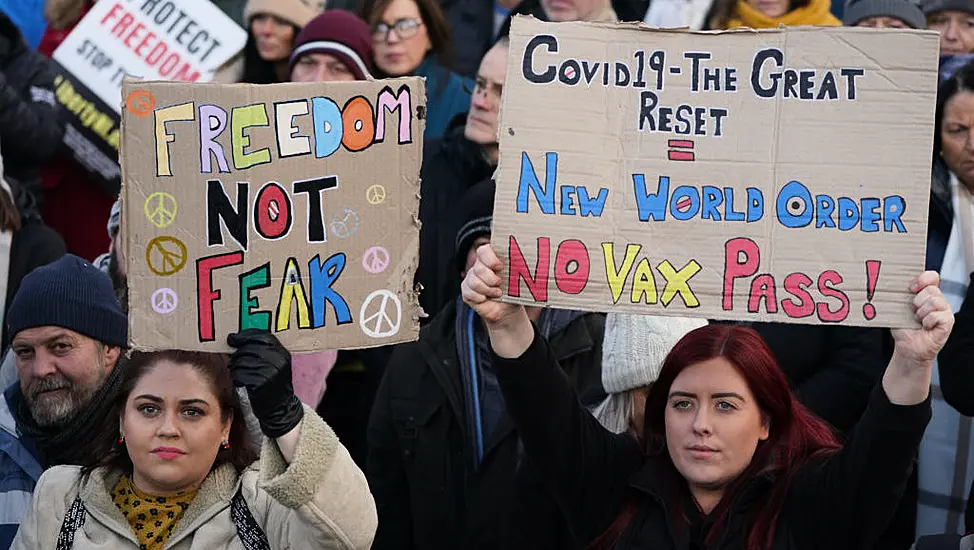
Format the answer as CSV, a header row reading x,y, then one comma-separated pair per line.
x,y
412,38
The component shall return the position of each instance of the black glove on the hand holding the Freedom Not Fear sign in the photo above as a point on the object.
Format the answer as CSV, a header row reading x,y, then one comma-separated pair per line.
x,y
263,366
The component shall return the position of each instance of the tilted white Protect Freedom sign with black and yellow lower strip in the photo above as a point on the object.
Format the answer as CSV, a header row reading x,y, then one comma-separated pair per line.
x,y
184,40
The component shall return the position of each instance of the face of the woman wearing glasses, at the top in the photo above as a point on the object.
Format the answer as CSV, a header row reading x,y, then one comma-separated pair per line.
x,y
400,39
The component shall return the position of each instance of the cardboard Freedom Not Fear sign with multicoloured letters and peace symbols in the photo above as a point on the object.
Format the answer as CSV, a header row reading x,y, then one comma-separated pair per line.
x,y
291,208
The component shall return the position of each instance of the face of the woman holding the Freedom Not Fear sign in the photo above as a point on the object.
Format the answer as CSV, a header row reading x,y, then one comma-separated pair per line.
x,y
172,428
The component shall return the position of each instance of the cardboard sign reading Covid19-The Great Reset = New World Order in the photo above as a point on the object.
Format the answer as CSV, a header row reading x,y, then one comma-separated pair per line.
x,y
778,175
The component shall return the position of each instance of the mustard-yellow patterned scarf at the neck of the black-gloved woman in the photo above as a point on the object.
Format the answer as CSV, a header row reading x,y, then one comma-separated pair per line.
x,y
152,518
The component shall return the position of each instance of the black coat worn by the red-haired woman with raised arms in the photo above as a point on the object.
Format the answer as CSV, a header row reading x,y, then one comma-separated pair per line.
x,y
841,502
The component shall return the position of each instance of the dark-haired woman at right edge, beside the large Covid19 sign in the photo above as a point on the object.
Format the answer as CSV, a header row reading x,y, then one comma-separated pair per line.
x,y
946,463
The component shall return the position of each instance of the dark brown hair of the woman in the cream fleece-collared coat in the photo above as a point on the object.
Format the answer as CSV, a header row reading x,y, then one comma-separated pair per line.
x,y
212,367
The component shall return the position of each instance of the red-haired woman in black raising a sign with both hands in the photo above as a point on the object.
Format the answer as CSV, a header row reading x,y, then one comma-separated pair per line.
x,y
731,459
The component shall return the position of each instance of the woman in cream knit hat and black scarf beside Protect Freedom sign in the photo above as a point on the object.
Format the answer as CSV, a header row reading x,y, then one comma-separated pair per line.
x,y
272,28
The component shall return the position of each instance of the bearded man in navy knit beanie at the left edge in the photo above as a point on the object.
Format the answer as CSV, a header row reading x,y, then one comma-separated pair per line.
x,y
68,331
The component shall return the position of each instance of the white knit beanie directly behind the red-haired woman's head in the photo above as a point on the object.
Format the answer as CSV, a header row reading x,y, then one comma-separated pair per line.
x,y
634,347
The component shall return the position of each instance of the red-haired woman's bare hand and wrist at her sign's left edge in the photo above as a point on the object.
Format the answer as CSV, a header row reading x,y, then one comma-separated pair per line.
x,y
510,329
